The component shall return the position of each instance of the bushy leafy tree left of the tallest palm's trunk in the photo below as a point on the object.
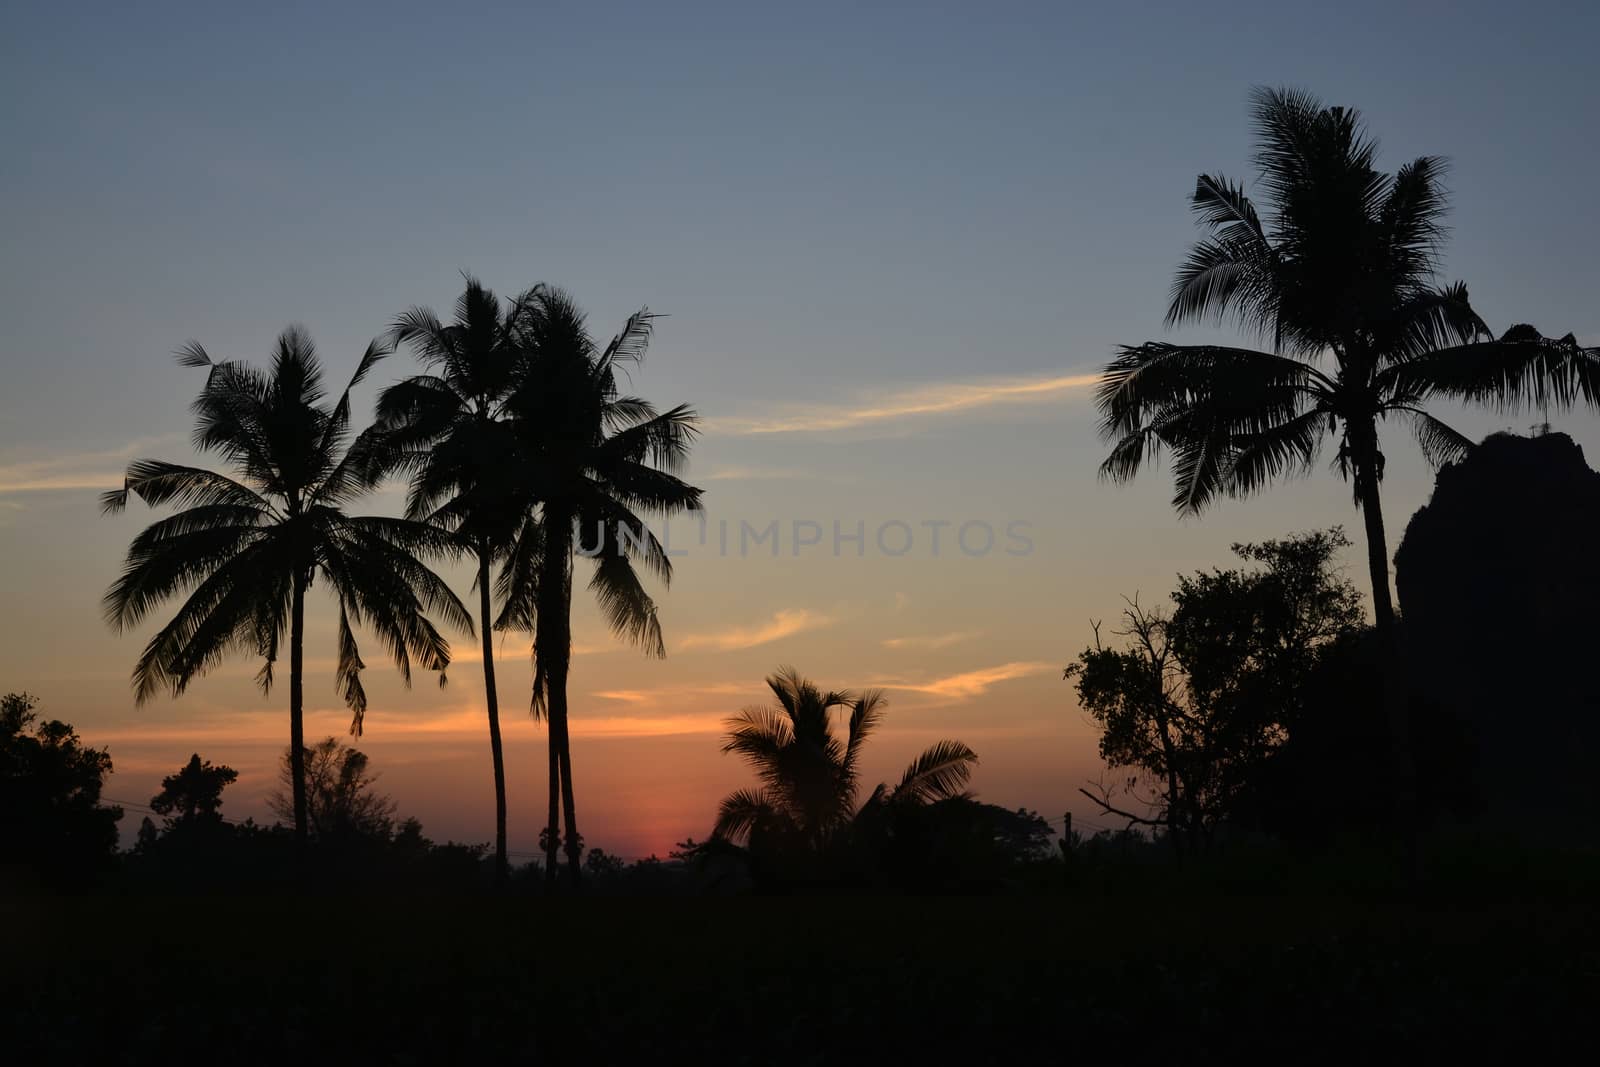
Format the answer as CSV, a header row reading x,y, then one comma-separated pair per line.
x,y
1198,701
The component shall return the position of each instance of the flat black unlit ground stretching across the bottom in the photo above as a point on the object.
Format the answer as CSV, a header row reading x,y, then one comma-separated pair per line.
x,y
812,980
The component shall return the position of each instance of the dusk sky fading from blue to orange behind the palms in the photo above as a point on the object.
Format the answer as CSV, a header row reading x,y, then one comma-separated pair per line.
x,y
895,246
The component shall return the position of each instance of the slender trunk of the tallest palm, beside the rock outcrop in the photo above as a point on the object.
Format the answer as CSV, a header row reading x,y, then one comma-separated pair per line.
x,y
1394,689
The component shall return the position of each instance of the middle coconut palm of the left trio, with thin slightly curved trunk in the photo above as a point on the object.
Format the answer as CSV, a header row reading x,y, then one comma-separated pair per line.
x,y
449,428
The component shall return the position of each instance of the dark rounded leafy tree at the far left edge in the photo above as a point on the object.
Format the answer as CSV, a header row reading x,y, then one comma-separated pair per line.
x,y
52,820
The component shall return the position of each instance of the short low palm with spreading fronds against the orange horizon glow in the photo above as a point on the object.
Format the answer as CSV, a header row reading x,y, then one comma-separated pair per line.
x,y
810,778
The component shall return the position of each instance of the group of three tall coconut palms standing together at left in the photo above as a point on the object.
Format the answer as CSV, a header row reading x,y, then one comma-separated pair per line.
x,y
514,436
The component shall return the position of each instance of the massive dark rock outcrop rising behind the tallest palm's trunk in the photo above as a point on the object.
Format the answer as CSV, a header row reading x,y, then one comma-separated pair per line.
x,y
1498,581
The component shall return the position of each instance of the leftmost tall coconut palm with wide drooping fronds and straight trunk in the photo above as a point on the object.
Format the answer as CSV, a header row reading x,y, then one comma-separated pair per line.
x,y
250,543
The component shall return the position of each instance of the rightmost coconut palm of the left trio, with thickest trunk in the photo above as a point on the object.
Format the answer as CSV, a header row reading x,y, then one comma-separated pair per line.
x,y
590,460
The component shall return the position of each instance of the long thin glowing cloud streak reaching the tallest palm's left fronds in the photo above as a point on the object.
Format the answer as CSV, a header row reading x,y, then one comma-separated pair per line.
x,y
922,401
